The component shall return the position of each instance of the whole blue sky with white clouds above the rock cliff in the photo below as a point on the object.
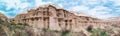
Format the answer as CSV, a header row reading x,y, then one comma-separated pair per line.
x,y
97,8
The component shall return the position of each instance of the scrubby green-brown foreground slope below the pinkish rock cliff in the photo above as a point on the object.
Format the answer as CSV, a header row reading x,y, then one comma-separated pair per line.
x,y
22,29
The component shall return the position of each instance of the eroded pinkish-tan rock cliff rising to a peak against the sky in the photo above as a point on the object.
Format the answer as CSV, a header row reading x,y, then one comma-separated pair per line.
x,y
55,18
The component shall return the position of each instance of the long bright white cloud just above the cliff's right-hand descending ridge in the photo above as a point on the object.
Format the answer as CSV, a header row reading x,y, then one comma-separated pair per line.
x,y
99,11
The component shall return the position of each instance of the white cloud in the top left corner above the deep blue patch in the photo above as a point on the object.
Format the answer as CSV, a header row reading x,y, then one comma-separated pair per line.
x,y
16,4
